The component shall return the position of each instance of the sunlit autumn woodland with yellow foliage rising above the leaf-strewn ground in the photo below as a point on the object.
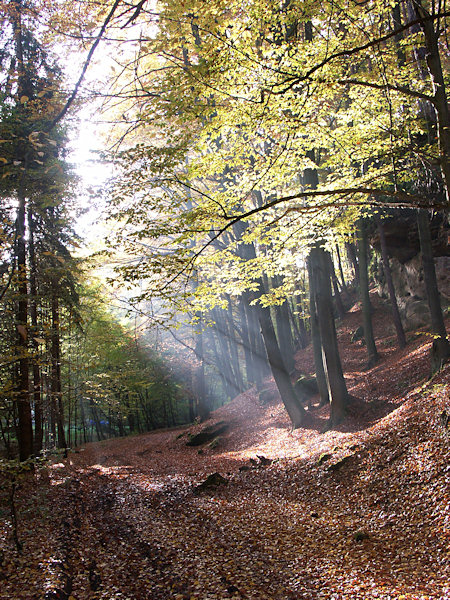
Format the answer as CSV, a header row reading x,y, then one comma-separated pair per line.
x,y
268,164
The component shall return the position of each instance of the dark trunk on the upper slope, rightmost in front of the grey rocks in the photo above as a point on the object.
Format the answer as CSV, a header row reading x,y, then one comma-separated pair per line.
x,y
441,346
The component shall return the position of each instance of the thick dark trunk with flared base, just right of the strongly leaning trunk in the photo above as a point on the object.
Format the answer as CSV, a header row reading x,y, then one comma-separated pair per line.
x,y
337,388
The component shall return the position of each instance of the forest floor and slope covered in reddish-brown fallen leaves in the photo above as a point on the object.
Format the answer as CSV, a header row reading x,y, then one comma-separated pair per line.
x,y
360,512
